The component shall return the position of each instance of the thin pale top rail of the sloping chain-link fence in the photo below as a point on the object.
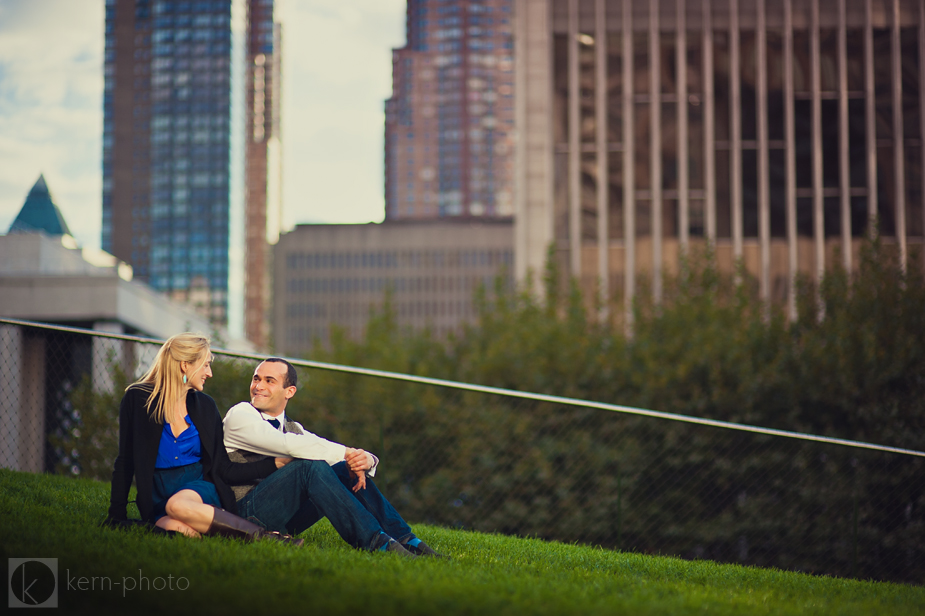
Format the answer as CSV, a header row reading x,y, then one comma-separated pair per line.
x,y
511,393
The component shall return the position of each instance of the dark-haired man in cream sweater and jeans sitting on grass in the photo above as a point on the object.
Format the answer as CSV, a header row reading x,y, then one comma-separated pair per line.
x,y
326,479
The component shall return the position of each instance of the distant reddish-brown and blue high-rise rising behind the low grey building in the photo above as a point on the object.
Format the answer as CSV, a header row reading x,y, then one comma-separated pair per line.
x,y
449,123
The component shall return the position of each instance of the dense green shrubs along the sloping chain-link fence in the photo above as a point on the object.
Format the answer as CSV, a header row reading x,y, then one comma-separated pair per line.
x,y
851,366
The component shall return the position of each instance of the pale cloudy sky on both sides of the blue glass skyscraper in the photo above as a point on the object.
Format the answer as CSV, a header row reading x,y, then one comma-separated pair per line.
x,y
337,74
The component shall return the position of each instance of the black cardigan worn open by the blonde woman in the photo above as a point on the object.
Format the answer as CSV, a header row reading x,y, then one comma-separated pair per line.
x,y
140,436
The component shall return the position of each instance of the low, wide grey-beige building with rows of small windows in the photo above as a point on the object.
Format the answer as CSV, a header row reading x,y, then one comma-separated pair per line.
x,y
332,276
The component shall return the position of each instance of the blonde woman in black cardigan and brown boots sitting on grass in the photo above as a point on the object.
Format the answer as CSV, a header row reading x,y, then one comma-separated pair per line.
x,y
171,442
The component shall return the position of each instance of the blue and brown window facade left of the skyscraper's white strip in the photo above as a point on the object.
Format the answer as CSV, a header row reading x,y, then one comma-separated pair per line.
x,y
166,145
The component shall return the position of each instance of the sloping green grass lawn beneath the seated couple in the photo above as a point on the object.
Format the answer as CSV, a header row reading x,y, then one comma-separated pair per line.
x,y
45,516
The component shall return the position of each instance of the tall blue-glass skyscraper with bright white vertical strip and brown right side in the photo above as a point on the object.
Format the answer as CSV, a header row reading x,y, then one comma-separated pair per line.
x,y
178,106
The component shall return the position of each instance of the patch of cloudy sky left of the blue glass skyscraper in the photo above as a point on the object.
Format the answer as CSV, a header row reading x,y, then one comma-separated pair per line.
x,y
51,108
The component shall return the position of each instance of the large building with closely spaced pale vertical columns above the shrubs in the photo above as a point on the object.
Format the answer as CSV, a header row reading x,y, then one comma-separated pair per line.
x,y
775,129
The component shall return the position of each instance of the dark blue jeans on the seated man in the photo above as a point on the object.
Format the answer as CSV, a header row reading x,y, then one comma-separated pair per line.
x,y
304,491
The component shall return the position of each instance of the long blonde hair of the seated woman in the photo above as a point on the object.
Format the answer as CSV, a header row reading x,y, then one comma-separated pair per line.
x,y
166,375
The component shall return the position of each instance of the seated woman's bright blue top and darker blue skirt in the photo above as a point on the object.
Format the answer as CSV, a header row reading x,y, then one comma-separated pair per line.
x,y
179,467
